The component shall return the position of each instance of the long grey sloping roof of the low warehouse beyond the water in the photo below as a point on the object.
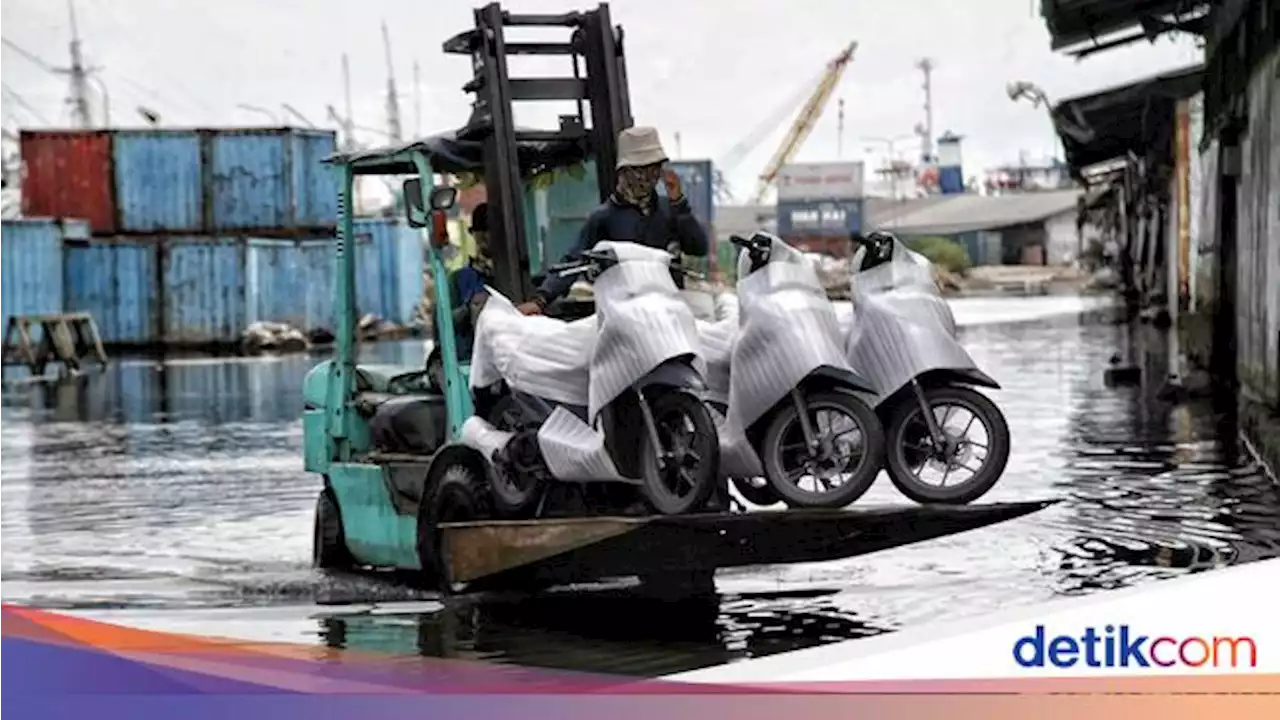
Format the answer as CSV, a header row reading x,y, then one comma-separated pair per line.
x,y
967,213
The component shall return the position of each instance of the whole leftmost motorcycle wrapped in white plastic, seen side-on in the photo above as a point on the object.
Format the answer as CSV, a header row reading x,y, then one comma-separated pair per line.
x,y
612,398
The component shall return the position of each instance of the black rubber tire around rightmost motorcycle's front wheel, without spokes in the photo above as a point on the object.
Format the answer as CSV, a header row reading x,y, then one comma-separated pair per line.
x,y
899,452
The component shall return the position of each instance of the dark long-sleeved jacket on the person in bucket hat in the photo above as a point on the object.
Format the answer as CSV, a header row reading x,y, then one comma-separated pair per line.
x,y
669,224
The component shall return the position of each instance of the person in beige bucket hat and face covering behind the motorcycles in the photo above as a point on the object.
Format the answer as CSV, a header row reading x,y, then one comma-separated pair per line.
x,y
634,213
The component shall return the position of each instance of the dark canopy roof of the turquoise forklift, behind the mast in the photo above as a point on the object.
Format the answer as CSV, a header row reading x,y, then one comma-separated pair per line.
x,y
455,153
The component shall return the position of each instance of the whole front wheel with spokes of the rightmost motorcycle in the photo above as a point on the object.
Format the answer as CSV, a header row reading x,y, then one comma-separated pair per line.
x,y
911,450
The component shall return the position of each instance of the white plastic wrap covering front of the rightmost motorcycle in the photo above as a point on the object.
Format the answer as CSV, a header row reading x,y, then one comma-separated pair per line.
x,y
900,326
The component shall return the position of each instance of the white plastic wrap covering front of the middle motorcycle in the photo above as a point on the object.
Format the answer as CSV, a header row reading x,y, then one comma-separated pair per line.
x,y
788,330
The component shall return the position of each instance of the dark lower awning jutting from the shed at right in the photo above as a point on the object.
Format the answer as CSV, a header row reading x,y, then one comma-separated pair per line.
x,y
1135,119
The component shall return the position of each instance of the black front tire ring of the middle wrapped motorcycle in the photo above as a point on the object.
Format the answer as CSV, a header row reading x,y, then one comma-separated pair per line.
x,y
863,476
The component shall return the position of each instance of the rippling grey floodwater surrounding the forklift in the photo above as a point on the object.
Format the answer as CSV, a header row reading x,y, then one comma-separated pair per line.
x,y
171,496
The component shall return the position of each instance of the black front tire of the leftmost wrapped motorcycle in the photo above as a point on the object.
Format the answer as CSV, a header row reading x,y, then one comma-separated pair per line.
x,y
703,449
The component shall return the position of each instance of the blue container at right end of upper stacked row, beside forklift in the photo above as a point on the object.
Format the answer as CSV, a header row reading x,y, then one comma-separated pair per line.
x,y
272,180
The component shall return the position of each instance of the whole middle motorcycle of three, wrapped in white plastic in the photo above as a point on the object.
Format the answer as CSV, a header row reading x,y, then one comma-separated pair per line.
x,y
792,408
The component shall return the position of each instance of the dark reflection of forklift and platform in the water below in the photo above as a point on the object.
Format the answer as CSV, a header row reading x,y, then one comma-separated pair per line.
x,y
605,632
